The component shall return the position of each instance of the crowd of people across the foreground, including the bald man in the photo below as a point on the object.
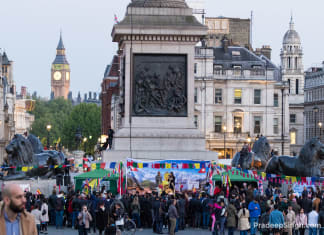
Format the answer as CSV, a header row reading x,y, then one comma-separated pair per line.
x,y
242,208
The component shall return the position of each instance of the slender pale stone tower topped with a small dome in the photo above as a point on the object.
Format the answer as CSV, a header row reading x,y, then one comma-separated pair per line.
x,y
293,74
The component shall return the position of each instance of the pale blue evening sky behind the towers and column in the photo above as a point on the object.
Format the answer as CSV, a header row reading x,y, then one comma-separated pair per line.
x,y
30,33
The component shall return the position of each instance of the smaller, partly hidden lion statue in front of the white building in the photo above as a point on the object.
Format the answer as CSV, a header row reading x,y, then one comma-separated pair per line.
x,y
257,158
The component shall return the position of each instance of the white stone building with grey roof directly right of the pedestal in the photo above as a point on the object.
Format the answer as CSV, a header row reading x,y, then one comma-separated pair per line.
x,y
238,97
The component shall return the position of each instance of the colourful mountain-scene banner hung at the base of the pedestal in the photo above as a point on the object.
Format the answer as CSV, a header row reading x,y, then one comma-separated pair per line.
x,y
189,175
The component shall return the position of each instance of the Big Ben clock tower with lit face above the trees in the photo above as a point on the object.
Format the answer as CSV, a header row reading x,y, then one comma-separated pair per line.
x,y
60,73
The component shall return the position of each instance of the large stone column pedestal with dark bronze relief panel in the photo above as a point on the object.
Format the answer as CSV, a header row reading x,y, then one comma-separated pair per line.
x,y
157,46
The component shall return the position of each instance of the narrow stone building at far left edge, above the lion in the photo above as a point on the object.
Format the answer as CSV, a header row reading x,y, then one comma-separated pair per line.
x,y
7,104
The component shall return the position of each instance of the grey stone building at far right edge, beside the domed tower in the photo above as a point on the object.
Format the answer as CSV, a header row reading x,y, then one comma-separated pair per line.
x,y
314,103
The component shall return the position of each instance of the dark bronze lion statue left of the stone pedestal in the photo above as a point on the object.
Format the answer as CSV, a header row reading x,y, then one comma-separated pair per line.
x,y
29,152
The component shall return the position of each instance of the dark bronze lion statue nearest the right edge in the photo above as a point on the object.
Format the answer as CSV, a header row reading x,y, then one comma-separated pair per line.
x,y
307,164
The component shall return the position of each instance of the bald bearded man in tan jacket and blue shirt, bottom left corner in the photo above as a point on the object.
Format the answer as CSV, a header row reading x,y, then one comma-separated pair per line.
x,y
14,219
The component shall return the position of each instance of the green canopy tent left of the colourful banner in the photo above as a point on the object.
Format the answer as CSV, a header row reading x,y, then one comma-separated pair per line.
x,y
110,182
